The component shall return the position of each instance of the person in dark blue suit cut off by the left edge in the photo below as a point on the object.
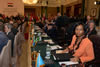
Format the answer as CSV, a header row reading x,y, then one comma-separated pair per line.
x,y
3,37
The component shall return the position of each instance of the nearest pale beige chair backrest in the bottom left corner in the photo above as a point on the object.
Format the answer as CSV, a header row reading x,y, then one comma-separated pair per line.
x,y
5,55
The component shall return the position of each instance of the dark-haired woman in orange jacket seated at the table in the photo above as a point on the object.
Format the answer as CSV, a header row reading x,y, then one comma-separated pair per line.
x,y
81,47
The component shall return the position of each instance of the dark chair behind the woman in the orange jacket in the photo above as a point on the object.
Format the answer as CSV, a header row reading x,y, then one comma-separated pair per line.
x,y
96,44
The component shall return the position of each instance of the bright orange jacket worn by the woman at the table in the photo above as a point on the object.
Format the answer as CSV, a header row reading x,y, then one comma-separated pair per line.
x,y
85,51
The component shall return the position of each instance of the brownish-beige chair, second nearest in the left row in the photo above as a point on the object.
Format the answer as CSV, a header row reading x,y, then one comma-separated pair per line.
x,y
19,38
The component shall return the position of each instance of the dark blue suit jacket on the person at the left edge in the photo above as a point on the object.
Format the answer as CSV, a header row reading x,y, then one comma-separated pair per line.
x,y
3,40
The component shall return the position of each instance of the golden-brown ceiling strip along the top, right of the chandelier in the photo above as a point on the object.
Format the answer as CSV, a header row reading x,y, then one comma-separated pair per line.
x,y
52,3
